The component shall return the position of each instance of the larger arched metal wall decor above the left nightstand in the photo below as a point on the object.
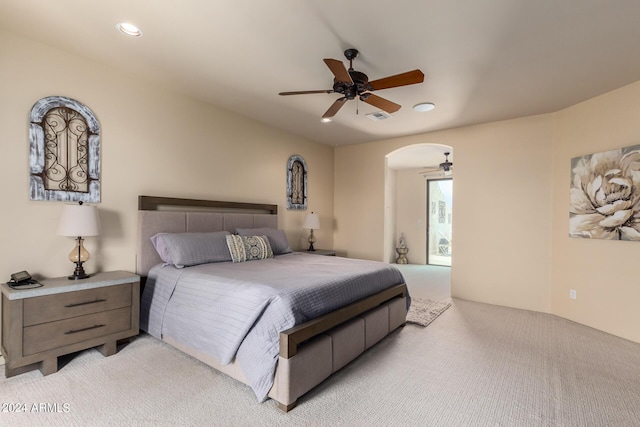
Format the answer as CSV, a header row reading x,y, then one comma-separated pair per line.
x,y
64,151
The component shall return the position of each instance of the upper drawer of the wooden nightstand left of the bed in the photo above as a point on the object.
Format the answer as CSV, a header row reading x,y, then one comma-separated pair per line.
x,y
50,308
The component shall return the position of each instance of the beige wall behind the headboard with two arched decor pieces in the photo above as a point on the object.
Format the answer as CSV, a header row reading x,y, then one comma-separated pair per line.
x,y
154,142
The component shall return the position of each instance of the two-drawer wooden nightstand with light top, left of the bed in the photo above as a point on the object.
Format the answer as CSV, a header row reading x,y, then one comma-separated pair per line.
x,y
65,316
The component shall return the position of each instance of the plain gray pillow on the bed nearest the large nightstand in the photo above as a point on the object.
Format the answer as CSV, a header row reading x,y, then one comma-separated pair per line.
x,y
185,249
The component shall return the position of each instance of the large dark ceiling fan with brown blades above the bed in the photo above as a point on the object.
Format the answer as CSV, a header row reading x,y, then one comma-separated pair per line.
x,y
351,84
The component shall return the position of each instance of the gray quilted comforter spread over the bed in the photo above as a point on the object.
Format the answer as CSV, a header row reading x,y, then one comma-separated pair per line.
x,y
237,310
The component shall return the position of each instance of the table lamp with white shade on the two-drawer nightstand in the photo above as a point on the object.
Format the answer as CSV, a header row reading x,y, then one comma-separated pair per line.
x,y
78,221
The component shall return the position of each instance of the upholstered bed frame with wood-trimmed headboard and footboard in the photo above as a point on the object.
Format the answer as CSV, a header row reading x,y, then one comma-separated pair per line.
x,y
310,352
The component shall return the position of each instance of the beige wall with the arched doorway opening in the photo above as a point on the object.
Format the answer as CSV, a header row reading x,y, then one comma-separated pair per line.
x,y
502,207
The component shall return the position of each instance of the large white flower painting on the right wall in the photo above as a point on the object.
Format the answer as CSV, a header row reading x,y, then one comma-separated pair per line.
x,y
605,195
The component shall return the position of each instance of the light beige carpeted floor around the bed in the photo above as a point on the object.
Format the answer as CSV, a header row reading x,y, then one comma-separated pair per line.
x,y
477,365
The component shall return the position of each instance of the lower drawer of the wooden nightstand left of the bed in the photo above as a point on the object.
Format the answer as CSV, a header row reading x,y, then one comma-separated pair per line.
x,y
52,335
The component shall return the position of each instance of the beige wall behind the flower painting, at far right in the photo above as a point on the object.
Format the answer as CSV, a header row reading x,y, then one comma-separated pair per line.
x,y
604,273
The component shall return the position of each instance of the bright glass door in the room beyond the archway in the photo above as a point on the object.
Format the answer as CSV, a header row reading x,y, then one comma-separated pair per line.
x,y
439,221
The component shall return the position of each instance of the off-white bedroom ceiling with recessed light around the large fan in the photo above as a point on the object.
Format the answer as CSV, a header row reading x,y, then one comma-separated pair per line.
x,y
483,60
